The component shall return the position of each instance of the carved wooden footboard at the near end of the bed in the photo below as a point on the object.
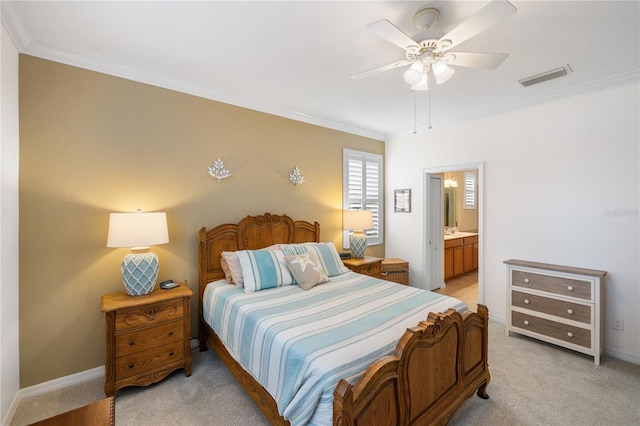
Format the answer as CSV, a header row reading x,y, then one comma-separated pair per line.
x,y
435,367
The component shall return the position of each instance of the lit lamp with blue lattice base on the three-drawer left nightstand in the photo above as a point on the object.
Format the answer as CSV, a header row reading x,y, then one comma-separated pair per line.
x,y
138,231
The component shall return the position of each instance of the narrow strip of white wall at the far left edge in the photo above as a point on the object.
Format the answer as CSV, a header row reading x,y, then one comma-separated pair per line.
x,y
9,151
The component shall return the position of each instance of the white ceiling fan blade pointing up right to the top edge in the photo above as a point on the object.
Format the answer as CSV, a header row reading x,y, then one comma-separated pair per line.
x,y
483,19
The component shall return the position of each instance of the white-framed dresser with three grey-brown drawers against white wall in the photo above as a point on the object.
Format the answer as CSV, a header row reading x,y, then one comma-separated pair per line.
x,y
557,304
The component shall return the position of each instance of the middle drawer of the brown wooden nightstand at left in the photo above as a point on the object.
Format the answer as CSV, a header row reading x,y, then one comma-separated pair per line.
x,y
140,340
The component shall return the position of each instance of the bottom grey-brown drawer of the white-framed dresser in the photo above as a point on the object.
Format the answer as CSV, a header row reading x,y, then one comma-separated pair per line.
x,y
575,335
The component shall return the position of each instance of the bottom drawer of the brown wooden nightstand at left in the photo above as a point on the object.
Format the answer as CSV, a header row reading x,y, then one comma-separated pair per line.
x,y
142,362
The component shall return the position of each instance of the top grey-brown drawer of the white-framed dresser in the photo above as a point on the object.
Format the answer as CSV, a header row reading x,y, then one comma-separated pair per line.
x,y
558,285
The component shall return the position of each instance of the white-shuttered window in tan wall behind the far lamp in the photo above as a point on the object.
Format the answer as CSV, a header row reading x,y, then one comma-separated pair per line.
x,y
362,190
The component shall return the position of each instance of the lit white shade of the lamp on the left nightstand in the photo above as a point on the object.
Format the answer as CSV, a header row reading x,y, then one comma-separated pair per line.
x,y
137,229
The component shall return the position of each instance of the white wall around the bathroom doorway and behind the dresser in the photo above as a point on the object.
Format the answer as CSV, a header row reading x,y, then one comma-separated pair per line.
x,y
561,185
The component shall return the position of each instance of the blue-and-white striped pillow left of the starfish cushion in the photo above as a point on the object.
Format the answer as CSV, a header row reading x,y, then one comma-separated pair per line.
x,y
263,269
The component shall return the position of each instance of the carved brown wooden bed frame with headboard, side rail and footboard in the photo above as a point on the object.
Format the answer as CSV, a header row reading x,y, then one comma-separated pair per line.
x,y
437,364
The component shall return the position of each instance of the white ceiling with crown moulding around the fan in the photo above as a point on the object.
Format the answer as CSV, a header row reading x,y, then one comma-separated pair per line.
x,y
294,59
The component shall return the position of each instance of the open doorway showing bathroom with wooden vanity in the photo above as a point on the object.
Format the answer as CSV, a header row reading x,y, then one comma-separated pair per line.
x,y
453,231
